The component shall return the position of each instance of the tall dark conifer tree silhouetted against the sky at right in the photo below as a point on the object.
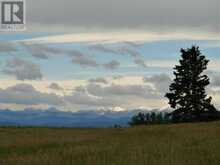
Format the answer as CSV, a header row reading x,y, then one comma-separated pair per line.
x,y
187,93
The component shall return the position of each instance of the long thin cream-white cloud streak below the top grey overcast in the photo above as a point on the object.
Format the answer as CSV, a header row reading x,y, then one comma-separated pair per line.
x,y
115,37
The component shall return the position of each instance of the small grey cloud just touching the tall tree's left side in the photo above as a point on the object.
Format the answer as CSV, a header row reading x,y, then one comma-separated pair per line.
x,y
161,82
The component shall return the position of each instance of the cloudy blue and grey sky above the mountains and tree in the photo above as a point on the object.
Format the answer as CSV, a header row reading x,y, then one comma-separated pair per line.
x,y
95,54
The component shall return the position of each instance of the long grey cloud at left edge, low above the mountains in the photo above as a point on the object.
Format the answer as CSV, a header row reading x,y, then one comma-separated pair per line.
x,y
27,95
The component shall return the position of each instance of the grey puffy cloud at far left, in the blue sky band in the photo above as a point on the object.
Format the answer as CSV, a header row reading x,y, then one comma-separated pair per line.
x,y
22,69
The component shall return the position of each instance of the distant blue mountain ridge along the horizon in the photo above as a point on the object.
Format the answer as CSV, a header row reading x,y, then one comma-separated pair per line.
x,y
52,117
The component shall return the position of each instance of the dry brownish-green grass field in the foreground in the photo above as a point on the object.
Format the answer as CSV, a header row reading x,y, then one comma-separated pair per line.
x,y
181,144
